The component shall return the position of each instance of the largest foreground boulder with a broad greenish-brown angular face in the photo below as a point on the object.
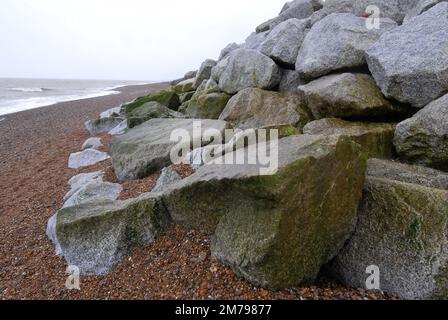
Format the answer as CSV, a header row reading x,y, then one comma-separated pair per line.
x,y
276,230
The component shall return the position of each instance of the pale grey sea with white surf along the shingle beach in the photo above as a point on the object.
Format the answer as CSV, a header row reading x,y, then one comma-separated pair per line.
x,y
24,94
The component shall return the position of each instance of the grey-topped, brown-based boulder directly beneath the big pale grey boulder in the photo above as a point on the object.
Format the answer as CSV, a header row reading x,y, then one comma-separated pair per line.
x,y
347,95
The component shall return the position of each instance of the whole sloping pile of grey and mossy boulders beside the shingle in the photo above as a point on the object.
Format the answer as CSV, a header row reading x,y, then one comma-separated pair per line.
x,y
341,87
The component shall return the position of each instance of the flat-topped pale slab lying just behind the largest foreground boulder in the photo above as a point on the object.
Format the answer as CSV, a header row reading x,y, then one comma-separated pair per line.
x,y
146,148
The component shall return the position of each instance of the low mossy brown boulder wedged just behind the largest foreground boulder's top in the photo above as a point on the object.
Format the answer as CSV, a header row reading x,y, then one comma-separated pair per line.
x,y
375,138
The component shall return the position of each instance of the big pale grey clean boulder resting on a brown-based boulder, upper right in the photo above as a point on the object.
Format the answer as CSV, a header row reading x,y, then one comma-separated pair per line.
x,y
339,41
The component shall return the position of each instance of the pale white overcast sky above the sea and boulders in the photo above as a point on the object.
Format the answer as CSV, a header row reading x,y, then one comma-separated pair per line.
x,y
121,40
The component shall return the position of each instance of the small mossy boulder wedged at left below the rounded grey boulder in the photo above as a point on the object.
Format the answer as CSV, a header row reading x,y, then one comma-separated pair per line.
x,y
207,104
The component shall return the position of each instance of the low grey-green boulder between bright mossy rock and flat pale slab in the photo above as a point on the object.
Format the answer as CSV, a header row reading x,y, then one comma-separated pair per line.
x,y
149,111
